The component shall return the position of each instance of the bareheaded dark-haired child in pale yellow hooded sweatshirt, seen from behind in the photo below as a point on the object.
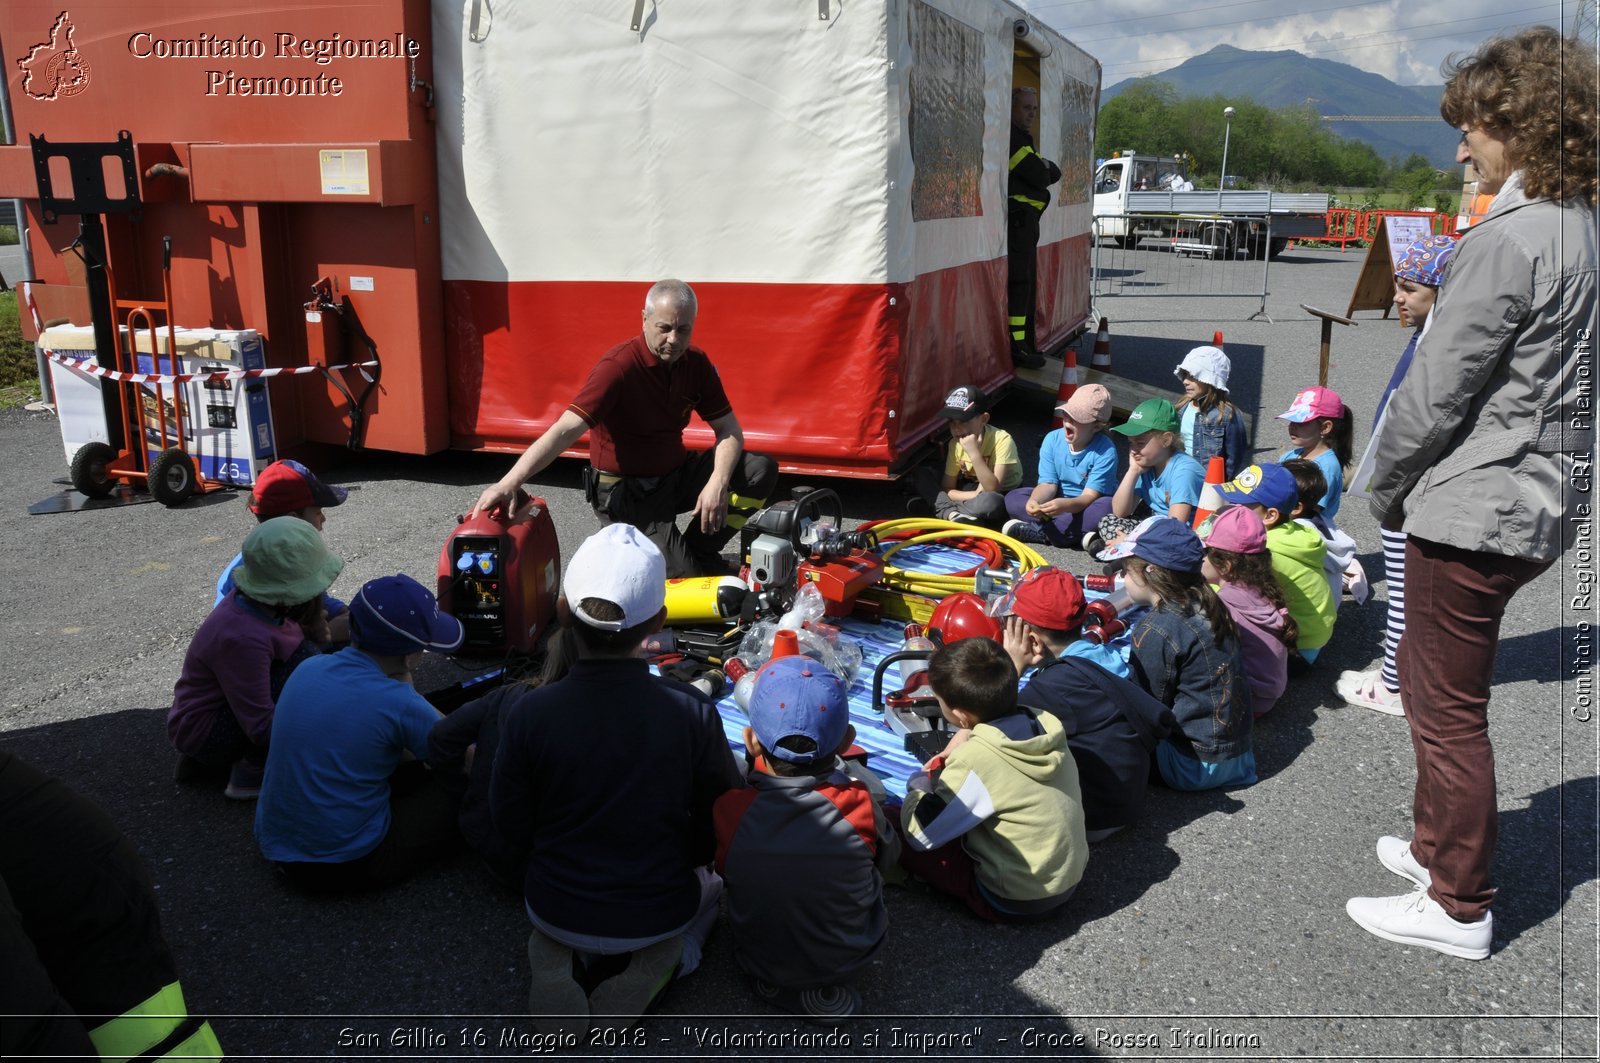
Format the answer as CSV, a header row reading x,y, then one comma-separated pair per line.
x,y
998,819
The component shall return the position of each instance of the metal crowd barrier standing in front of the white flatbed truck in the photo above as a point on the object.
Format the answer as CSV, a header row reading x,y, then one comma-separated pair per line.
x,y
1186,257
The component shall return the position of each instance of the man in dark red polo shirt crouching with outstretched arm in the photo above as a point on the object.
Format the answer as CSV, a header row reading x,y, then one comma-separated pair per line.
x,y
636,406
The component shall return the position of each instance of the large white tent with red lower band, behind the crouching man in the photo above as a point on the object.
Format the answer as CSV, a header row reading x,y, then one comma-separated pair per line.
x,y
828,174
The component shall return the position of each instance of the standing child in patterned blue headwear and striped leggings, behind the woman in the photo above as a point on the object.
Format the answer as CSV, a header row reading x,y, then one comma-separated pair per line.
x,y
1418,278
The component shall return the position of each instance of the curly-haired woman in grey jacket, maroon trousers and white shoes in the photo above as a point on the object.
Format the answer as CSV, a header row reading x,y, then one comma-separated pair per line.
x,y
1479,457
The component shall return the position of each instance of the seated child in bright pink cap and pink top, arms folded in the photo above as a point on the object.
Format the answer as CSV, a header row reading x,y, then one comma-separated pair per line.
x,y
1238,563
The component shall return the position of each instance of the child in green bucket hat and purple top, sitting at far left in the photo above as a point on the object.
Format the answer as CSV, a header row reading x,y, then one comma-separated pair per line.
x,y
242,656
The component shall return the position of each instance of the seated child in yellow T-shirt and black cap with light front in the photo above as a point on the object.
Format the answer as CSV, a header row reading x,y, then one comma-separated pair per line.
x,y
980,467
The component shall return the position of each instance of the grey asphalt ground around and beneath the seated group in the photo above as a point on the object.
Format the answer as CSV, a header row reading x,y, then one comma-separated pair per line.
x,y
1214,929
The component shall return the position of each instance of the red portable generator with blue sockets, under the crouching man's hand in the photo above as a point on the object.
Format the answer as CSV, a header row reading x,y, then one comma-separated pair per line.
x,y
500,579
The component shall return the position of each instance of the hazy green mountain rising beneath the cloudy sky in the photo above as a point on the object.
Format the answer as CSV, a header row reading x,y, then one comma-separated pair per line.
x,y
1287,79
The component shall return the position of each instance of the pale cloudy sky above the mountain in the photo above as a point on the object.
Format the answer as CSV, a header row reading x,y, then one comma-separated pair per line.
x,y
1404,41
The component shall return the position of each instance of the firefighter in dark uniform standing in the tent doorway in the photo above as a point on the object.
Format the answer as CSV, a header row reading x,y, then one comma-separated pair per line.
x,y
1028,193
